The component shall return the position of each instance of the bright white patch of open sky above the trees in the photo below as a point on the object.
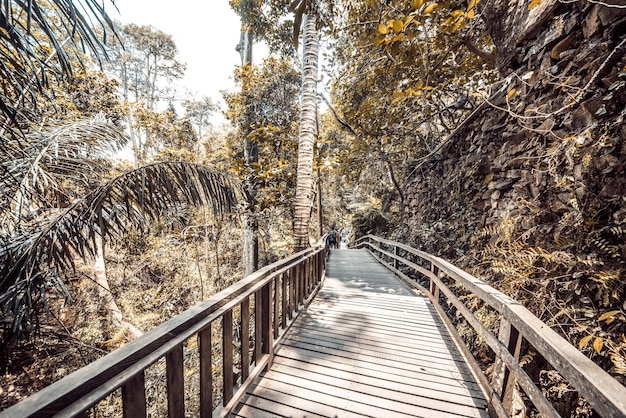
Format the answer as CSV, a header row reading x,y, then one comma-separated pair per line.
x,y
205,31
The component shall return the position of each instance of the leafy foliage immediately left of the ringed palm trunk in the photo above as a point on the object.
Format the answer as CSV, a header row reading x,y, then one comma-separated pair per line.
x,y
266,111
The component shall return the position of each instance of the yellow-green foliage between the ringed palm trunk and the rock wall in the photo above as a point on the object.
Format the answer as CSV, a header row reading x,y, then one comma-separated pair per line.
x,y
406,74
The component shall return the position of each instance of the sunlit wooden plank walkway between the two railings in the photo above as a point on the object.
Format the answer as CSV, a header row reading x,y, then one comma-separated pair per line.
x,y
366,346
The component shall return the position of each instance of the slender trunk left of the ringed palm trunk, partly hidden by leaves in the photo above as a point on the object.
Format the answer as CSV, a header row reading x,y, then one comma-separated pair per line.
x,y
250,257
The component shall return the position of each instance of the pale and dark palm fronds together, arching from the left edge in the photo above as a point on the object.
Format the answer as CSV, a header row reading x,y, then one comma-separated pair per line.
x,y
53,209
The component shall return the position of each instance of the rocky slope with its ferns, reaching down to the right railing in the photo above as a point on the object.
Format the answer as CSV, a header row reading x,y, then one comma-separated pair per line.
x,y
530,193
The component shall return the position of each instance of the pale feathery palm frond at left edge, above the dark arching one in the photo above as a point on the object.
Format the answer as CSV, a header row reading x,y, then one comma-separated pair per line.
x,y
33,168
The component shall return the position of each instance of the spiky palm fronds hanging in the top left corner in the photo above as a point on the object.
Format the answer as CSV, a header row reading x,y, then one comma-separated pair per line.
x,y
42,42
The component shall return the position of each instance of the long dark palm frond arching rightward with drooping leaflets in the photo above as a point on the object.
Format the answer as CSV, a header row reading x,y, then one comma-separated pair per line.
x,y
34,263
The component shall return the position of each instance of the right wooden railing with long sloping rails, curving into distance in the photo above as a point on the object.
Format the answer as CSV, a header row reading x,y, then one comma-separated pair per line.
x,y
435,277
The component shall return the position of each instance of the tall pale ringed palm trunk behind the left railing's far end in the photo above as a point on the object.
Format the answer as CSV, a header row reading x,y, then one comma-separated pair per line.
x,y
306,141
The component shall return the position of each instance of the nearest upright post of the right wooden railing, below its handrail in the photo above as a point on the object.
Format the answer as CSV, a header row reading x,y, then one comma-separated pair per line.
x,y
501,383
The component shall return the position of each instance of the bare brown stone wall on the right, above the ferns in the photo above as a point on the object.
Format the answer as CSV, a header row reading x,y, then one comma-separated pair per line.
x,y
549,149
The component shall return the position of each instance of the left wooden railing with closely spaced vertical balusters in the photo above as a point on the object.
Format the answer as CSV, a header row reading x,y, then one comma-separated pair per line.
x,y
271,298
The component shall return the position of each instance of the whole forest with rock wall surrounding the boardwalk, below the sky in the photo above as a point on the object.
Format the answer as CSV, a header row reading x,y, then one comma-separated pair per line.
x,y
490,133
